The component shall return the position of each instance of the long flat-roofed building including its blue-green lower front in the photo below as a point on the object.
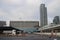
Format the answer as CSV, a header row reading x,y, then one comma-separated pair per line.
x,y
27,26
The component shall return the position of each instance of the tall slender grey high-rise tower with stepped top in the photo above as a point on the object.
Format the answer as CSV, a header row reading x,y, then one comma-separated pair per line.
x,y
43,15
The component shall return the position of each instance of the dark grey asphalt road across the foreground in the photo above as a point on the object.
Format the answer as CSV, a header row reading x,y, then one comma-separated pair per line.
x,y
31,37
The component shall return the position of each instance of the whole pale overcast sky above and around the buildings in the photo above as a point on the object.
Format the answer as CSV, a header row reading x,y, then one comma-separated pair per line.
x,y
27,9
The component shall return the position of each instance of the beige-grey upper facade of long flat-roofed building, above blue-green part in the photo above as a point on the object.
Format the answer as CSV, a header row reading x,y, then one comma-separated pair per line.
x,y
27,24
